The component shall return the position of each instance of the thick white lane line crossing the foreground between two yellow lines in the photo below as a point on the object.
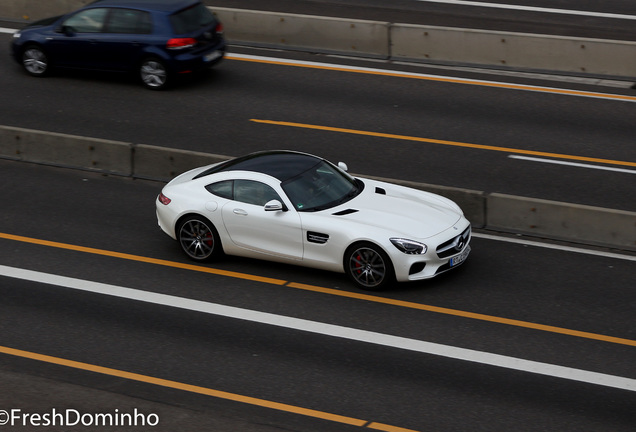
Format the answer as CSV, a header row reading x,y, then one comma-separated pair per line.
x,y
326,329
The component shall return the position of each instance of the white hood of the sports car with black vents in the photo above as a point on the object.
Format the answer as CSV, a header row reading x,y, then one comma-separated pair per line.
x,y
407,212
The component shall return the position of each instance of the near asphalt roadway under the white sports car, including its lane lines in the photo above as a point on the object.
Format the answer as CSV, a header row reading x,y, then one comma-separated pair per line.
x,y
368,358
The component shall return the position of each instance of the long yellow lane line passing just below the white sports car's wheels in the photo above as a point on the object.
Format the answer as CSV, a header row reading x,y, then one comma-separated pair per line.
x,y
330,291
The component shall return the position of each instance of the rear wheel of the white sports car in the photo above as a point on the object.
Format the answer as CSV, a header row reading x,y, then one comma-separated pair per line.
x,y
199,239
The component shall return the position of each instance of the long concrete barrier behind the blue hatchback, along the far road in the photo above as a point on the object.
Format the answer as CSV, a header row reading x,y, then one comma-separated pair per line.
x,y
442,45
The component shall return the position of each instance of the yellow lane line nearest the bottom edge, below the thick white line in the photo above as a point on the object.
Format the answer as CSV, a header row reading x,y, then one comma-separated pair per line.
x,y
194,389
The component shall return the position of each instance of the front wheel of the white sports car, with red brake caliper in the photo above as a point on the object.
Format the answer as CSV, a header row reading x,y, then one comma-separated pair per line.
x,y
369,267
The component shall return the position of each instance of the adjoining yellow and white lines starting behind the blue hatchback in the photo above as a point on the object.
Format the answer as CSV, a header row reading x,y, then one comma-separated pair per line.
x,y
368,71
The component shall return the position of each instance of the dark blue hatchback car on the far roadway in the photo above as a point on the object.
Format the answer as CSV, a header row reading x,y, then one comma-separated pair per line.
x,y
156,39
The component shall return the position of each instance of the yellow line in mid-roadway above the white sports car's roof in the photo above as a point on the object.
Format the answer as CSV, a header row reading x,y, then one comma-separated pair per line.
x,y
443,142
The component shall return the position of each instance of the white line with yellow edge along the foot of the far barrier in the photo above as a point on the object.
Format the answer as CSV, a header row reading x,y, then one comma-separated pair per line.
x,y
442,78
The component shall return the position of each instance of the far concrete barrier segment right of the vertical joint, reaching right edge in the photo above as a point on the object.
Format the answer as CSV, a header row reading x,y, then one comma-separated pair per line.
x,y
513,50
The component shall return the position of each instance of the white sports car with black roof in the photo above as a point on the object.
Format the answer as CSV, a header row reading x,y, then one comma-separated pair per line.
x,y
297,208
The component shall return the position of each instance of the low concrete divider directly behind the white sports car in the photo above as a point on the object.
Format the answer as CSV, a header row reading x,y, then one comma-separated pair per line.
x,y
506,213
